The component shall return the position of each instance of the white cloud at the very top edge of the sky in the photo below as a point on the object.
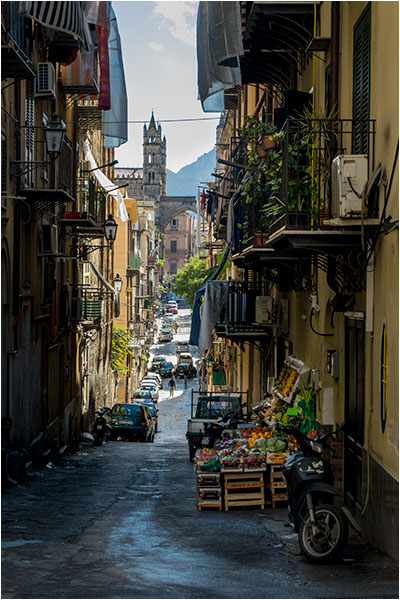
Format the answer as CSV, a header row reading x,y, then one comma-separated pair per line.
x,y
180,19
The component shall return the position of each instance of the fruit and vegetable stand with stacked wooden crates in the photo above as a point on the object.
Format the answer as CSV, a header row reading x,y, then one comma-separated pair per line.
x,y
248,468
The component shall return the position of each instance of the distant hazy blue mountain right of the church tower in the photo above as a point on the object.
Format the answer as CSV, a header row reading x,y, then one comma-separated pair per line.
x,y
186,180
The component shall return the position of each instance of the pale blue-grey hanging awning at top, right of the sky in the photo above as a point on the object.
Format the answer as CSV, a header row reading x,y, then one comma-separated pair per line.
x,y
219,46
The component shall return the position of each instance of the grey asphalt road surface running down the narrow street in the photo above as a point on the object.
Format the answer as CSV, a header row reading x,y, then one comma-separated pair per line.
x,y
121,521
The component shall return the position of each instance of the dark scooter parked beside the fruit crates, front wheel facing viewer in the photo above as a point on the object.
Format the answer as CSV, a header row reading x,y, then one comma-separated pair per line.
x,y
321,526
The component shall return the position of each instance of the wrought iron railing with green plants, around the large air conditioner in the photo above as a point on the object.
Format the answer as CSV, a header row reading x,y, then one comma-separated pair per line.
x,y
293,188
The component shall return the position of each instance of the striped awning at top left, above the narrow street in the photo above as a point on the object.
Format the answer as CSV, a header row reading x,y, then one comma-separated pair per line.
x,y
67,17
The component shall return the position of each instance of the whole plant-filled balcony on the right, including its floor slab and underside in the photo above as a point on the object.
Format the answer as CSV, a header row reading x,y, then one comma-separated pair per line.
x,y
285,216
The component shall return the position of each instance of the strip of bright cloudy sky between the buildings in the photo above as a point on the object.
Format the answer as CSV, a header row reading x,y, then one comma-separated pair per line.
x,y
159,52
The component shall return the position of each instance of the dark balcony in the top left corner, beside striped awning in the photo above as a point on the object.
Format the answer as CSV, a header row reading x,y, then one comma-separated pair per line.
x,y
16,43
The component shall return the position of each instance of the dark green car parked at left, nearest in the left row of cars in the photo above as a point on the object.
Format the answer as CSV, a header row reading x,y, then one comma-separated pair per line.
x,y
132,421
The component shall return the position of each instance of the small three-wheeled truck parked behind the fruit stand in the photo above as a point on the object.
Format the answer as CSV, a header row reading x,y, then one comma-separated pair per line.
x,y
211,407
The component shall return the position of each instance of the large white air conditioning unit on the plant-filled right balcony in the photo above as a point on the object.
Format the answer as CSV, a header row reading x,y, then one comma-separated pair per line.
x,y
349,175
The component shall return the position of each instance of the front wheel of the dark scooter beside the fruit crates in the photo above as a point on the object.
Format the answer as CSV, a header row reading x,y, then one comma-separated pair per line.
x,y
324,542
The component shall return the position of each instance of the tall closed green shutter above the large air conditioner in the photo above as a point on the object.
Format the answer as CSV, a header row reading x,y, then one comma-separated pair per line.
x,y
361,81
